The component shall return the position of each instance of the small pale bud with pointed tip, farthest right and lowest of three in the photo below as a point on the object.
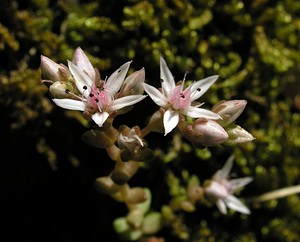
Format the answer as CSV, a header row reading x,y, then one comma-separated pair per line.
x,y
238,135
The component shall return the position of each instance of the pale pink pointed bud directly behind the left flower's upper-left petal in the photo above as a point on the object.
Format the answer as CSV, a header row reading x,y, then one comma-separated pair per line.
x,y
83,63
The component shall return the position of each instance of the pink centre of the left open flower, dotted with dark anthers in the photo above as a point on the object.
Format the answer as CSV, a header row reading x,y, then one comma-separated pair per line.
x,y
99,98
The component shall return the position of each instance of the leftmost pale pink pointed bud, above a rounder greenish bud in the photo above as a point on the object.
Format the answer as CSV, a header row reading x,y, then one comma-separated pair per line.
x,y
53,71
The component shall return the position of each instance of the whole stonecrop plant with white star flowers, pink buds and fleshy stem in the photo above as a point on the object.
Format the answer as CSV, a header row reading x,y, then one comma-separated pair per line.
x,y
79,87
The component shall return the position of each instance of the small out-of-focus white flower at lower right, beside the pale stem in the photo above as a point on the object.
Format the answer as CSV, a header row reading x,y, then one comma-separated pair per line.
x,y
220,189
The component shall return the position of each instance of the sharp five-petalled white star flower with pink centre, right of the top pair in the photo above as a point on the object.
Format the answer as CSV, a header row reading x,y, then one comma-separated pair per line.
x,y
177,101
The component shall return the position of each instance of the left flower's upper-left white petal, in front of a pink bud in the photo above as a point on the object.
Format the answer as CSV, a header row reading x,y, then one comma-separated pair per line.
x,y
82,80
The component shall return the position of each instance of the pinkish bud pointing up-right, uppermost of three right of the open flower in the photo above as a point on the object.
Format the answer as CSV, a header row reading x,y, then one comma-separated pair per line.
x,y
229,110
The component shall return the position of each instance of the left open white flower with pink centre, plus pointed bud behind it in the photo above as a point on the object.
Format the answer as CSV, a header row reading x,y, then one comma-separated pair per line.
x,y
98,98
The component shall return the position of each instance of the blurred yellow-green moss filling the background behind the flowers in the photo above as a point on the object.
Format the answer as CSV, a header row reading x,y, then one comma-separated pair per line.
x,y
253,45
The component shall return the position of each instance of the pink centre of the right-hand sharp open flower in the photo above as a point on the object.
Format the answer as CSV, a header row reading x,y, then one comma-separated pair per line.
x,y
179,99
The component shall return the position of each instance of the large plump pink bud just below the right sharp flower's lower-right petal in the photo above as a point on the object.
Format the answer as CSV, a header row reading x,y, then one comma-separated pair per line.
x,y
204,132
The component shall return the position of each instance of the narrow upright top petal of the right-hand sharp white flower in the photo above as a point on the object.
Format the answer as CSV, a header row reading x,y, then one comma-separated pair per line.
x,y
168,83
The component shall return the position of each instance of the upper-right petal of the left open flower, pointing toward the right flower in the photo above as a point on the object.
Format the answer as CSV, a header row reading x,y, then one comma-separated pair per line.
x,y
115,81
